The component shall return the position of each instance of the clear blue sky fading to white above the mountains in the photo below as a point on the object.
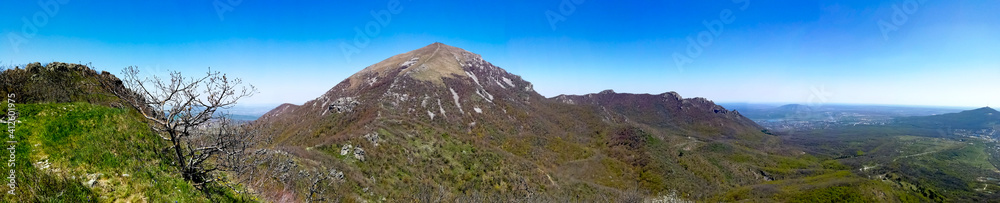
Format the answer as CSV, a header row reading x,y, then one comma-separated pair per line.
x,y
930,52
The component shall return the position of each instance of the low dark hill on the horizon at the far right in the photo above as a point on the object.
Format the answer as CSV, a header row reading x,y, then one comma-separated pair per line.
x,y
981,118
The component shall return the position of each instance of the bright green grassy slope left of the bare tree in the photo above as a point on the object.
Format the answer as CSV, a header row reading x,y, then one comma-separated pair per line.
x,y
81,142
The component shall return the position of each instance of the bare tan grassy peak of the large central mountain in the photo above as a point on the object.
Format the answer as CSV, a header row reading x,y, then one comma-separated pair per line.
x,y
430,63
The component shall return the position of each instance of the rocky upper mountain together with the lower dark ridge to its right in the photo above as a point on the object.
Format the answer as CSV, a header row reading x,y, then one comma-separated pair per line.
x,y
479,88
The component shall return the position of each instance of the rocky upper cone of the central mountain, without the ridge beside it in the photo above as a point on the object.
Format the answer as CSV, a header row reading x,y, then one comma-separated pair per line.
x,y
437,84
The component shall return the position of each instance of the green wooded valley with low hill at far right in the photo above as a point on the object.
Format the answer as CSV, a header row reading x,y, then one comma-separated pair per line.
x,y
935,160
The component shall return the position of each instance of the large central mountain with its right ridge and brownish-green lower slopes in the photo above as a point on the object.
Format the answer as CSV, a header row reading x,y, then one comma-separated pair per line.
x,y
441,122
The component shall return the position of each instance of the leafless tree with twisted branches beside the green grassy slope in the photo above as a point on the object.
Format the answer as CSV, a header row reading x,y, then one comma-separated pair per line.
x,y
186,113
